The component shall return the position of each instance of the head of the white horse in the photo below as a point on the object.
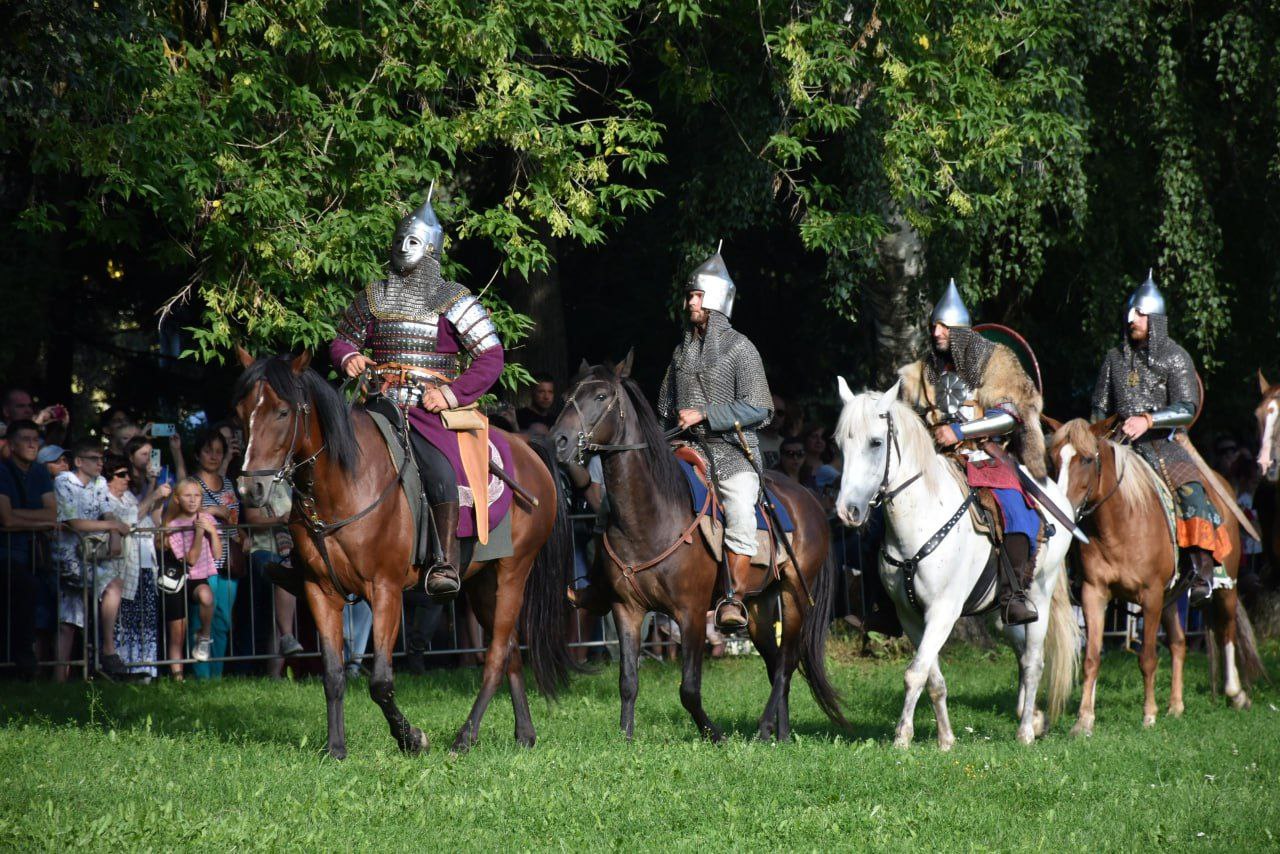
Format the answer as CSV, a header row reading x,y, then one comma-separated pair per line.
x,y
866,436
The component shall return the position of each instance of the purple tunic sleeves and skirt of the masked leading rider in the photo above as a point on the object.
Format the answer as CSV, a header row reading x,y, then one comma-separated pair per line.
x,y
474,382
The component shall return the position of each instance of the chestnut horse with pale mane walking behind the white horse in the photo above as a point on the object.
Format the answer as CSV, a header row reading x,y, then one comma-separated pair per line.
x,y
1131,556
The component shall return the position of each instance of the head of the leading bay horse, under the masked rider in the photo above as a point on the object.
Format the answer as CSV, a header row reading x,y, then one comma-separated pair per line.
x,y
273,404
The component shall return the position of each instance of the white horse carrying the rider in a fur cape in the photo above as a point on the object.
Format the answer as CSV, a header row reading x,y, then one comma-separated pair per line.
x,y
890,456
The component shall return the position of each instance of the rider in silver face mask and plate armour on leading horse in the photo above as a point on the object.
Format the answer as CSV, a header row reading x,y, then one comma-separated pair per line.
x,y
418,328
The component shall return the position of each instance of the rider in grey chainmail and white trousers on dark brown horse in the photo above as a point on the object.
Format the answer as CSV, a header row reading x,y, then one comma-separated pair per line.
x,y
716,389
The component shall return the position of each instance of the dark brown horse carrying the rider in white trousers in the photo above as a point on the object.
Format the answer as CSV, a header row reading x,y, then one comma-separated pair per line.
x,y
670,569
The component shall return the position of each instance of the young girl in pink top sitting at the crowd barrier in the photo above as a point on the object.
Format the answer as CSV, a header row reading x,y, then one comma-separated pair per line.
x,y
198,549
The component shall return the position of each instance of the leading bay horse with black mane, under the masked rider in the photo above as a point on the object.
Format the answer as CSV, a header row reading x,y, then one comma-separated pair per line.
x,y
300,433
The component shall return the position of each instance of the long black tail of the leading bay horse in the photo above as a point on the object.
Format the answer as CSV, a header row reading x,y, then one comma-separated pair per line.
x,y
545,616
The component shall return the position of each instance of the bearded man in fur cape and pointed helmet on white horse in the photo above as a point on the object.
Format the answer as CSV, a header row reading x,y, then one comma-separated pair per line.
x,y
971,391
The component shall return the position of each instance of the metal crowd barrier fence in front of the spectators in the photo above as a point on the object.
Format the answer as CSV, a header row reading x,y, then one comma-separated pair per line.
x,y
252,615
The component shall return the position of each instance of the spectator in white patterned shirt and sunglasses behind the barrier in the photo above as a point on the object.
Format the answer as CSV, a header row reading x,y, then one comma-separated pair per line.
x,y
83,501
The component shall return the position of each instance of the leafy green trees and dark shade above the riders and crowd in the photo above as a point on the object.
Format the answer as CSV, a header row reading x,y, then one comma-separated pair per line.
x,y
245,165
